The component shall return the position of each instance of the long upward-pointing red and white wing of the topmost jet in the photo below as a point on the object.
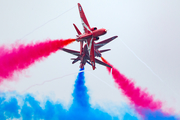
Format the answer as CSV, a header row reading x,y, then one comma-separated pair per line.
x,y
83,19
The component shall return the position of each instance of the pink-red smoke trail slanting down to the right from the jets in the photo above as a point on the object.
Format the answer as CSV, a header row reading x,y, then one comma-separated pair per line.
x,y
135,94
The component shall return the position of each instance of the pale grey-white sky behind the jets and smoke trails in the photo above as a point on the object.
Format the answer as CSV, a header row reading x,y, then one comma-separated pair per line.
x,y
147,33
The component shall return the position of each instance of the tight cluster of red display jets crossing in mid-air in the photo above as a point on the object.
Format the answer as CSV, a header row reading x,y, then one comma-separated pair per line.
x,y
90,50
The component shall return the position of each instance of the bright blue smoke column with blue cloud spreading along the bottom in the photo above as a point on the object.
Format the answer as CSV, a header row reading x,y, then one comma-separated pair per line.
x,y
80,109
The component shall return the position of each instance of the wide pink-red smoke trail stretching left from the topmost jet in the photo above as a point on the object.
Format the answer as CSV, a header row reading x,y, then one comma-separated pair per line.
x,y
21,56
